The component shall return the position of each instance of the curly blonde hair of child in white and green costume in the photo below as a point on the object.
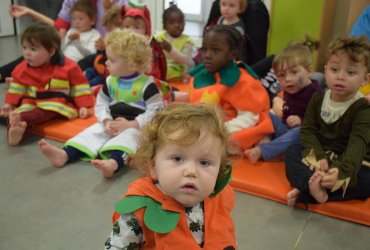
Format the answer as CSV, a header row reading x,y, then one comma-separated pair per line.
x,y
133,48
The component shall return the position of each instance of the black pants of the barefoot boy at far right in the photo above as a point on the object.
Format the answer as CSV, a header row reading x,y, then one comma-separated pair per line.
x,y
299,174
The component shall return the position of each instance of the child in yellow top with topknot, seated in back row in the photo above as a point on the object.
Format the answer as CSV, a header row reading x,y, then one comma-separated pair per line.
x,y
179,49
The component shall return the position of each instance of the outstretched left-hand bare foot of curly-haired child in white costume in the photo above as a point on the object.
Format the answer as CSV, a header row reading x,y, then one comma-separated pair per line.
x,y
57,156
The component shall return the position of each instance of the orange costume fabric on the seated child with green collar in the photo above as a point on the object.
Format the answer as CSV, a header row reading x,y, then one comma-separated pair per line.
x,y
247,94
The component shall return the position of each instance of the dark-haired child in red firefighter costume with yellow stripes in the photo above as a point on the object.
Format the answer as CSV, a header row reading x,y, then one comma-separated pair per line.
x,y
45,86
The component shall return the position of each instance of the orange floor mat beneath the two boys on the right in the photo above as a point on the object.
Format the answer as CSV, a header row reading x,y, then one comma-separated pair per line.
x,y
267,180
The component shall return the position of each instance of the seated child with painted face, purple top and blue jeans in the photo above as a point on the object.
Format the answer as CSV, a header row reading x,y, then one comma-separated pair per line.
x,y
293,67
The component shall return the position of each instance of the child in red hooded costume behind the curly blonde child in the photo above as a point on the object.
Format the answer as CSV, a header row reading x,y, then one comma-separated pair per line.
x,y
138,20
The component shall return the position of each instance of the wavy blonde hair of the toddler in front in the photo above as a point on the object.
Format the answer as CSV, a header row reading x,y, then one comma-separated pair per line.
x,y
191,121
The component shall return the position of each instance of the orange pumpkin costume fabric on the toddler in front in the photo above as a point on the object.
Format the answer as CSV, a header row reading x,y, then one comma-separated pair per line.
x,y
219,227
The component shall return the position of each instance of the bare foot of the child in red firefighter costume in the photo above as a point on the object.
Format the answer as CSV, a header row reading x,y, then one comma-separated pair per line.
x,y
16,129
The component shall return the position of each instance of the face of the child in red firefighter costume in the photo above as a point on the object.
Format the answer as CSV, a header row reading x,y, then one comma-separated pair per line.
x,y
36,55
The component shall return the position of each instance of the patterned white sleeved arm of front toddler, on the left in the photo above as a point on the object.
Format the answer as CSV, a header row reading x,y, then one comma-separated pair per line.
x,y
126,234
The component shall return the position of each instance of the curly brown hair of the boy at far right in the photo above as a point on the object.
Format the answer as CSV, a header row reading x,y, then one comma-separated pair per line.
x,y
357,49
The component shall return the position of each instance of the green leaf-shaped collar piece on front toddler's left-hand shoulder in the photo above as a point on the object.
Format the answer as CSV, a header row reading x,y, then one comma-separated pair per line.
x,y
155,217
